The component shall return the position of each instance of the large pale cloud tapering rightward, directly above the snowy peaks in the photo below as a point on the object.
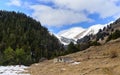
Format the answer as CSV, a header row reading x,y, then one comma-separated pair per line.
x,y
57,17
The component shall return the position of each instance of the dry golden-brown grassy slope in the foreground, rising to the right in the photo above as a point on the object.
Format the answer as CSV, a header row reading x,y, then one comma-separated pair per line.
x,y
94,61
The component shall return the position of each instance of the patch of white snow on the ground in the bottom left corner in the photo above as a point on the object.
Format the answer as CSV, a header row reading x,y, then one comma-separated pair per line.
x,y
13,70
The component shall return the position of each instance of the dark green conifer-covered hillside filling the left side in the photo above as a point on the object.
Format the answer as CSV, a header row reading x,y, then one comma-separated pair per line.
x,y
24,41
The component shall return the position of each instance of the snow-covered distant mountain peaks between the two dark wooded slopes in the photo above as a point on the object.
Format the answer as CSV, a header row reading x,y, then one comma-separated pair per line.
x,y
73,34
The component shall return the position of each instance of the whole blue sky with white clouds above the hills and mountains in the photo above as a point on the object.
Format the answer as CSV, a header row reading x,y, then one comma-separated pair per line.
x,y
59,15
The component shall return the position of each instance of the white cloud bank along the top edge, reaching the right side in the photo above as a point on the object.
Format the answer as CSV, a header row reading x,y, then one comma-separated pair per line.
x,y
104,8
